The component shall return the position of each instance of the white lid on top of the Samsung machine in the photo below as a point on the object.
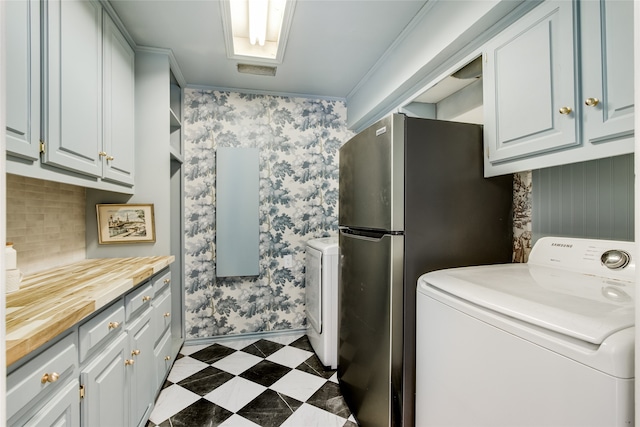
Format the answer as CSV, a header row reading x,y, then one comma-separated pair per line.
x,y
586,307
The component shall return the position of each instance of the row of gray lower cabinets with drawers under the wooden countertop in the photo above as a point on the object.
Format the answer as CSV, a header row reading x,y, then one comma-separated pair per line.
x,y
105,371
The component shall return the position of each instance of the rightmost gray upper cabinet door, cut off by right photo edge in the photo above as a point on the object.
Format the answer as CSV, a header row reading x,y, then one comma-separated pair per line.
x,y
606,30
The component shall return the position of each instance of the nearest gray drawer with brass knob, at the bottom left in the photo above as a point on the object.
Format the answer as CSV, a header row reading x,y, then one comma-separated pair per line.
x,y
44,374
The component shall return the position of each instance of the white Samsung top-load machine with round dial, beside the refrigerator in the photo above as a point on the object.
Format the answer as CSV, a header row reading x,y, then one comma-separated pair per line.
x,y
547,343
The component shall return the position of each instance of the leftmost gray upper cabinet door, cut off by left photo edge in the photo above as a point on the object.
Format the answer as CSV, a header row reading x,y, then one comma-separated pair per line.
x,y
23,77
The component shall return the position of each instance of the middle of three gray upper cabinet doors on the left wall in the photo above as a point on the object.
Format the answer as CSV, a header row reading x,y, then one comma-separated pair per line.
x,y
73,85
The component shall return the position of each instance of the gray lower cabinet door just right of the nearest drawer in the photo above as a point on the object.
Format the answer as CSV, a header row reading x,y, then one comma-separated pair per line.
x,y
106,400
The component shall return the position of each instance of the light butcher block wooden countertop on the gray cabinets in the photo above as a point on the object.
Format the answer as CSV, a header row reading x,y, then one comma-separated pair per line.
x,y
51,302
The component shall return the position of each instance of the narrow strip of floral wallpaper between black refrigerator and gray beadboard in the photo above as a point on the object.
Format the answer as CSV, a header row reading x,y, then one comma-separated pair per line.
x,y
521,216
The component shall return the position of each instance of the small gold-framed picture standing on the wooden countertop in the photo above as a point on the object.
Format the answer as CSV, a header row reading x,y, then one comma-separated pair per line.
x,y
125,224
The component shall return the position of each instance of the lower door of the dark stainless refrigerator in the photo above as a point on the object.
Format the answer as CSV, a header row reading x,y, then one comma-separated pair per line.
x,y
370,326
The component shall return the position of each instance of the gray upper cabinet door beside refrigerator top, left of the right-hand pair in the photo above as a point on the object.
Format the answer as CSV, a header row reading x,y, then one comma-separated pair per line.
x,y
528,78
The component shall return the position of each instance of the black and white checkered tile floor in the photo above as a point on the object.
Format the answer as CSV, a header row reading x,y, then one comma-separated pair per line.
x,y
261,382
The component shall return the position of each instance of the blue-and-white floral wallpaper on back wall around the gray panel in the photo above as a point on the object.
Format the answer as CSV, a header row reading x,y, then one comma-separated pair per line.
x,y
298,139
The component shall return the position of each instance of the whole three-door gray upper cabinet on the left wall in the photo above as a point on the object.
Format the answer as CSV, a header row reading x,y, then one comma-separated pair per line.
x,y
79,128
